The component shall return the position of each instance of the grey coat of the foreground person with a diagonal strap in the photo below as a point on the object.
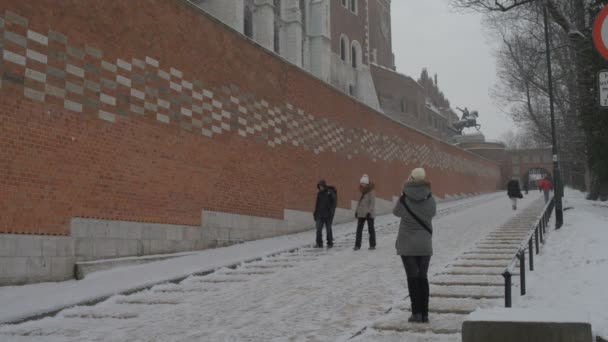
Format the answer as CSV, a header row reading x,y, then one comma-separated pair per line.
x,y
413,239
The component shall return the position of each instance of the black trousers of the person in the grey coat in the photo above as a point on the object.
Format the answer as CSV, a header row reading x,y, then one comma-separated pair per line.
x,y
416,270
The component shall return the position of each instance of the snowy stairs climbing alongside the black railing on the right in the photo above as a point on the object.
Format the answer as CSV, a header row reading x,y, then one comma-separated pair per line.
x,y
474,280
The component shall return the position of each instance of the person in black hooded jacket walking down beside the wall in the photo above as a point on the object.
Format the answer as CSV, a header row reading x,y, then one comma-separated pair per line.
x,y
325,209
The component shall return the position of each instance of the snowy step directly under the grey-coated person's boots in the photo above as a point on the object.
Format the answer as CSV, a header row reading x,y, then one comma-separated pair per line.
x,y
439,324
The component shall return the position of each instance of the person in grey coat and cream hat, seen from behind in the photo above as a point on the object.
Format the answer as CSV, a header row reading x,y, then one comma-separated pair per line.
x,y
415,240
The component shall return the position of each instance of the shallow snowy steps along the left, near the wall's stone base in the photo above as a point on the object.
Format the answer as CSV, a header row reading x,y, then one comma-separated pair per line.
x,y
211,283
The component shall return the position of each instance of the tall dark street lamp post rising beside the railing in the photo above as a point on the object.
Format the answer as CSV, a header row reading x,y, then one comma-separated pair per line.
x,y
557,186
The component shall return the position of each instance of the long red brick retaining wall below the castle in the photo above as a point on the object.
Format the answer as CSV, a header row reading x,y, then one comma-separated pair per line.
x,y
57,163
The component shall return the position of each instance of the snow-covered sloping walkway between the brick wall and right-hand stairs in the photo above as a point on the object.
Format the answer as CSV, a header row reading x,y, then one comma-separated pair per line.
x,y
297,294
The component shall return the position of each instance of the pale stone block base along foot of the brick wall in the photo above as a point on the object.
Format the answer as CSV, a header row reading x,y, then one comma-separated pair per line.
x,y
30,258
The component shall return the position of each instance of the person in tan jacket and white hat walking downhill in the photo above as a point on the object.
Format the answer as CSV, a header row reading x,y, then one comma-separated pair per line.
x,y
366,212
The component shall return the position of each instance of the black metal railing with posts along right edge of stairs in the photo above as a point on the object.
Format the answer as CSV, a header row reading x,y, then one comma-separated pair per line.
x,y
535,237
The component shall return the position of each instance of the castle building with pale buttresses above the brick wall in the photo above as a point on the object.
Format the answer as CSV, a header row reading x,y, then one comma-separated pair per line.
x,y
346,43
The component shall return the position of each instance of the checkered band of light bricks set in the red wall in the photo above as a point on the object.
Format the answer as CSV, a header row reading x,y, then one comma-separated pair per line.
x,y
141,86
